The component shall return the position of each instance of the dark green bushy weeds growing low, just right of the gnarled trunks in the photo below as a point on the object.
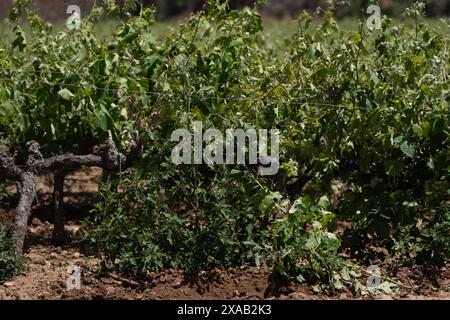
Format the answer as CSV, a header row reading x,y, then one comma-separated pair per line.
x,y
164,222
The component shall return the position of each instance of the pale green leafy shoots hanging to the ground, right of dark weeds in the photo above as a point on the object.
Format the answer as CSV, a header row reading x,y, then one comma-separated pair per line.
x,y
302,244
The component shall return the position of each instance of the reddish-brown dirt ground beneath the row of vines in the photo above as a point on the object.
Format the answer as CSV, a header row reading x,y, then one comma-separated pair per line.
x,y
47,270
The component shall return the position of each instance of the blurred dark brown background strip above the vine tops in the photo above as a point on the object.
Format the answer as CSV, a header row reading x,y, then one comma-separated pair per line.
x,y
55,10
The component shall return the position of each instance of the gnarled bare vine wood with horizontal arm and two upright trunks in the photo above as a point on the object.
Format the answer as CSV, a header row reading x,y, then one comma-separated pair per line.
x,y
105,156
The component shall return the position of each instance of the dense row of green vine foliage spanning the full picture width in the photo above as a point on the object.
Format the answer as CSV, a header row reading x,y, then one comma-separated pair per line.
x,y
367,109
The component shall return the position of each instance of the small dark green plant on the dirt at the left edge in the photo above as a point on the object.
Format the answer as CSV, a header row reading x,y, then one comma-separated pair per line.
x,y
10,266
